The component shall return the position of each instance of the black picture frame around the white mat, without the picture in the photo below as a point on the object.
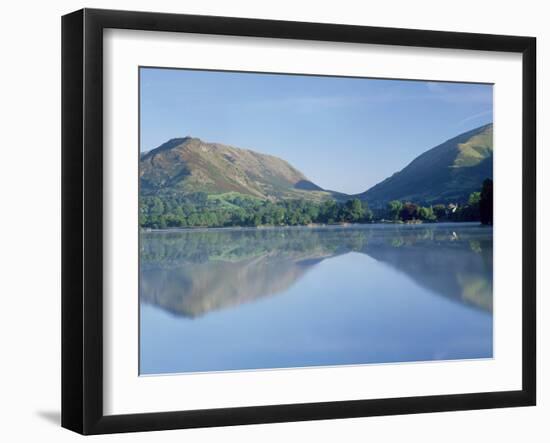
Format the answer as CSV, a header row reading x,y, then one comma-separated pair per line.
x,y
82,218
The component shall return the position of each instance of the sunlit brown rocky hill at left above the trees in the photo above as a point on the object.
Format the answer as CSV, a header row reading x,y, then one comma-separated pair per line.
x,y
189,165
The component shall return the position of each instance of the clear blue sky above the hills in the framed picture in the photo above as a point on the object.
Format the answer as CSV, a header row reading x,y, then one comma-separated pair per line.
x,y
344,134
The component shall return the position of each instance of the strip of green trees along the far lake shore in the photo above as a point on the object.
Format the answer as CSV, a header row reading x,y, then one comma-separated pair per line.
x,y
237,210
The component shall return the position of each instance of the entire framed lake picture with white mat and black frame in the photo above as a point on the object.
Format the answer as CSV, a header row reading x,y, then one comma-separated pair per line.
x,y
269,221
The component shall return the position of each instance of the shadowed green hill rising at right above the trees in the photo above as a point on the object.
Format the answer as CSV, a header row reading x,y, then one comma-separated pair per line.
x,y
447,173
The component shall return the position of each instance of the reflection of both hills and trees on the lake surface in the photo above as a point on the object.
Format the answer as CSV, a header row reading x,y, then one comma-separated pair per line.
x,y
191,273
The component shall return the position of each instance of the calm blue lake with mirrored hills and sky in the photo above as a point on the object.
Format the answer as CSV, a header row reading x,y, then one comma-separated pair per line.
x,y
236,299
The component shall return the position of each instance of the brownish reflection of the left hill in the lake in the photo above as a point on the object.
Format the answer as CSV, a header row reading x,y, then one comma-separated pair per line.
x,y
191,273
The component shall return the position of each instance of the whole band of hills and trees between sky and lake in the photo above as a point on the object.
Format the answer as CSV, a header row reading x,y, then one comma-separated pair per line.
x,y
187,182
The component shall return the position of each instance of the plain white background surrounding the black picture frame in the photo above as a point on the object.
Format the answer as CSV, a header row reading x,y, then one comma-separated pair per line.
x,y
30,219
